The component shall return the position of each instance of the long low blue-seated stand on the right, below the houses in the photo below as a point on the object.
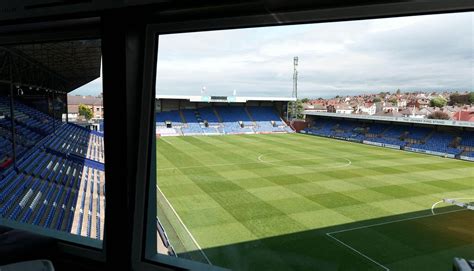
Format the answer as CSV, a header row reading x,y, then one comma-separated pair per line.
x,y
414,138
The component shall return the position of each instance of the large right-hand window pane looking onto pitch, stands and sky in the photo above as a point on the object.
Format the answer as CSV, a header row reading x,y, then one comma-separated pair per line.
x,y
326,146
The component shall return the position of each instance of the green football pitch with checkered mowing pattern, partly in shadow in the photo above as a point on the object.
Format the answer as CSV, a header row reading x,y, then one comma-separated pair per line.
x,y
301,202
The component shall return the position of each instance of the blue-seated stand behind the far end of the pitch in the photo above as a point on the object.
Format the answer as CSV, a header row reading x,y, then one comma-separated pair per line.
x,y
235,119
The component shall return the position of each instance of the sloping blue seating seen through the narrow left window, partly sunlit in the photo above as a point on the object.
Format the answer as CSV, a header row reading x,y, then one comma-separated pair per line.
x,y
53,163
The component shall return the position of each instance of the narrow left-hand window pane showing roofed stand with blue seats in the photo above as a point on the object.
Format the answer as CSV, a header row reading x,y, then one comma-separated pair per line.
x,y
53,181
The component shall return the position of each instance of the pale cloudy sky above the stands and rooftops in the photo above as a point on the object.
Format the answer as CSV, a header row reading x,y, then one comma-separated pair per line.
x,y
417,53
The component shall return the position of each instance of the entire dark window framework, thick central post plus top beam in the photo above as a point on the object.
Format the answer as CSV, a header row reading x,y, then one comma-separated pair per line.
x,y
129,46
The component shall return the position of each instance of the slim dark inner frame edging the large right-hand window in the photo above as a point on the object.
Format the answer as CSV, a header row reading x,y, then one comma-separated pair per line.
x,y
145,236
